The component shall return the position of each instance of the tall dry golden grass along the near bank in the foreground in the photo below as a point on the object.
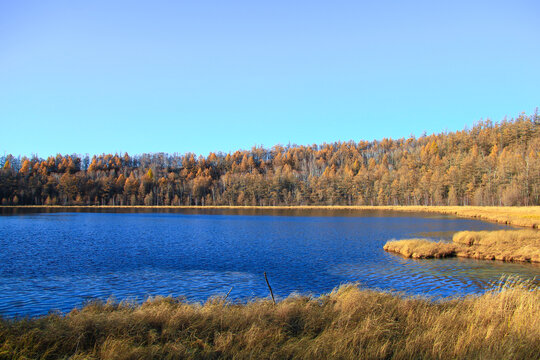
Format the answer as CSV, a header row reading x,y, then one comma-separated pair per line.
x,y
349,323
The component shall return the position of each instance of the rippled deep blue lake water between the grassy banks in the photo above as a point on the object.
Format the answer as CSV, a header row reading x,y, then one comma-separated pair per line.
x,y
59,260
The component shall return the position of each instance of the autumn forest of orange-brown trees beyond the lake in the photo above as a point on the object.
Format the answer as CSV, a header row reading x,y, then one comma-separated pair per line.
x,y
492,163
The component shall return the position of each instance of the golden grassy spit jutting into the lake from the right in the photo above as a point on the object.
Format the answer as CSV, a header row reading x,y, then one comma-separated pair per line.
x,y
506,245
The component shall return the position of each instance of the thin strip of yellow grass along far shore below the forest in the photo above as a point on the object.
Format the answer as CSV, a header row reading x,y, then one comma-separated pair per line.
x,y
526,216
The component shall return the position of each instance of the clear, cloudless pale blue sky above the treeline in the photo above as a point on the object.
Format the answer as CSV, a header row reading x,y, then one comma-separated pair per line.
x,y
177,76
